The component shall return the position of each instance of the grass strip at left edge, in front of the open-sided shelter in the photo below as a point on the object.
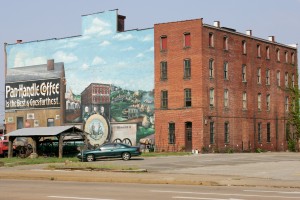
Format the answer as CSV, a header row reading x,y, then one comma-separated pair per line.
x,y
11,162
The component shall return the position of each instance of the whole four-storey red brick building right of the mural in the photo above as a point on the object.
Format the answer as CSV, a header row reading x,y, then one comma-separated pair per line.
x,y
217,89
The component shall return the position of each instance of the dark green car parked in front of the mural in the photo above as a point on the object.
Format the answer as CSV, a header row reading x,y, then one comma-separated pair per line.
x,y
110,150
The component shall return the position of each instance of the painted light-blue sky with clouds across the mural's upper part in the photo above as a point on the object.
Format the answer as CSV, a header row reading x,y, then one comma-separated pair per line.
x,y
99,55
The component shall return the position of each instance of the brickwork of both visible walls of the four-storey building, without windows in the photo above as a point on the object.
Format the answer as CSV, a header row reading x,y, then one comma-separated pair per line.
x,y
242,123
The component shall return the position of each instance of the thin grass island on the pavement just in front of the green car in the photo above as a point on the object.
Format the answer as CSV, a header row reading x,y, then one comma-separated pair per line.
x,y
89,166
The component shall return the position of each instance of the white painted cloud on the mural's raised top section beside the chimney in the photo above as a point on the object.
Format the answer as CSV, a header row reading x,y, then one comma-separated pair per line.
x,y
98,26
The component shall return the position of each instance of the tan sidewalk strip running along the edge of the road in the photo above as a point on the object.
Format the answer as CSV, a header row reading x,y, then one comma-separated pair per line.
x,y
37,172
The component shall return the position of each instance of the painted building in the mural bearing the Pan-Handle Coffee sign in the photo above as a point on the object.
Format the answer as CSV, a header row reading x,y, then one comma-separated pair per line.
x,y
34,96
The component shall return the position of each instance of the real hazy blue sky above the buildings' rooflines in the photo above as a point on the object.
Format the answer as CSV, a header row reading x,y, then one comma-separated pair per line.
x,y
32,20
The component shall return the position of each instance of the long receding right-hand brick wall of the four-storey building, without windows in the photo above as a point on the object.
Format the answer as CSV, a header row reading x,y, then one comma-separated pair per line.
x,y
243,123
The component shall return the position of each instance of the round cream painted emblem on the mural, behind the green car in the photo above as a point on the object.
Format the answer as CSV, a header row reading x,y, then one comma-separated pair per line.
x,y
97,128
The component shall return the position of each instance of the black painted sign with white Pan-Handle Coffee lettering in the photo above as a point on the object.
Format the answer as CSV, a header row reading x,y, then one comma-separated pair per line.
x,y
32,94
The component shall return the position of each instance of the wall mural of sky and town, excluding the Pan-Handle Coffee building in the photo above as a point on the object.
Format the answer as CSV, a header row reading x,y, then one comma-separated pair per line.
x,y
109,76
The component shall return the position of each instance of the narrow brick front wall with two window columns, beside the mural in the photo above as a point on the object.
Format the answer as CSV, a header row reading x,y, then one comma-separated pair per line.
x,y
175,84
